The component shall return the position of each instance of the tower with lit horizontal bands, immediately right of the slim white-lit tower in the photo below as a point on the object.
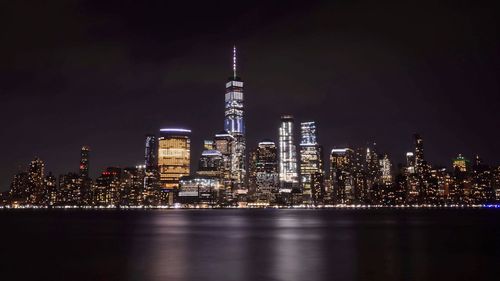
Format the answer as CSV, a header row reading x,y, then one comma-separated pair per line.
x,y
311,157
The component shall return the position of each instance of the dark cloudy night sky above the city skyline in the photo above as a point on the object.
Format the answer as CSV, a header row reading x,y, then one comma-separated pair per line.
x,y
105,73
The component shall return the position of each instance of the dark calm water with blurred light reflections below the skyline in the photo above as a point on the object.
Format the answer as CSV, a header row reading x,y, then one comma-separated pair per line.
x,y
250,245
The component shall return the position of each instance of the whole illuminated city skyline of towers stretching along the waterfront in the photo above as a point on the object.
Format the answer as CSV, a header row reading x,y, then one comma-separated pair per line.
x,y
289,173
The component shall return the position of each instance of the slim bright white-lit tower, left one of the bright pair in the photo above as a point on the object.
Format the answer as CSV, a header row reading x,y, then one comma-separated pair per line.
x,y
287,156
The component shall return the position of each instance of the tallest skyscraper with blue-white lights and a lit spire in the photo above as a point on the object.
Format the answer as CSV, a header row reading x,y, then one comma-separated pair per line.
x,y
235,126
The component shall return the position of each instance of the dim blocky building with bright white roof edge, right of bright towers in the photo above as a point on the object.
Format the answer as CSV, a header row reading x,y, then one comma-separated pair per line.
x,y
341,175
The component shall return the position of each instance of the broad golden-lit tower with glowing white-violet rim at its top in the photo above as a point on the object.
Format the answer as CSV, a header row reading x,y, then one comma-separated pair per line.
x,y
174,150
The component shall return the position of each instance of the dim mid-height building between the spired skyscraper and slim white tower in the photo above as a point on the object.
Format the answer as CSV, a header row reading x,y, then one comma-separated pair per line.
x,y
265,176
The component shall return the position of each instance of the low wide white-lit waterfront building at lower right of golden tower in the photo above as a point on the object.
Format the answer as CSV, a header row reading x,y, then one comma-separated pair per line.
x,y
198,190
